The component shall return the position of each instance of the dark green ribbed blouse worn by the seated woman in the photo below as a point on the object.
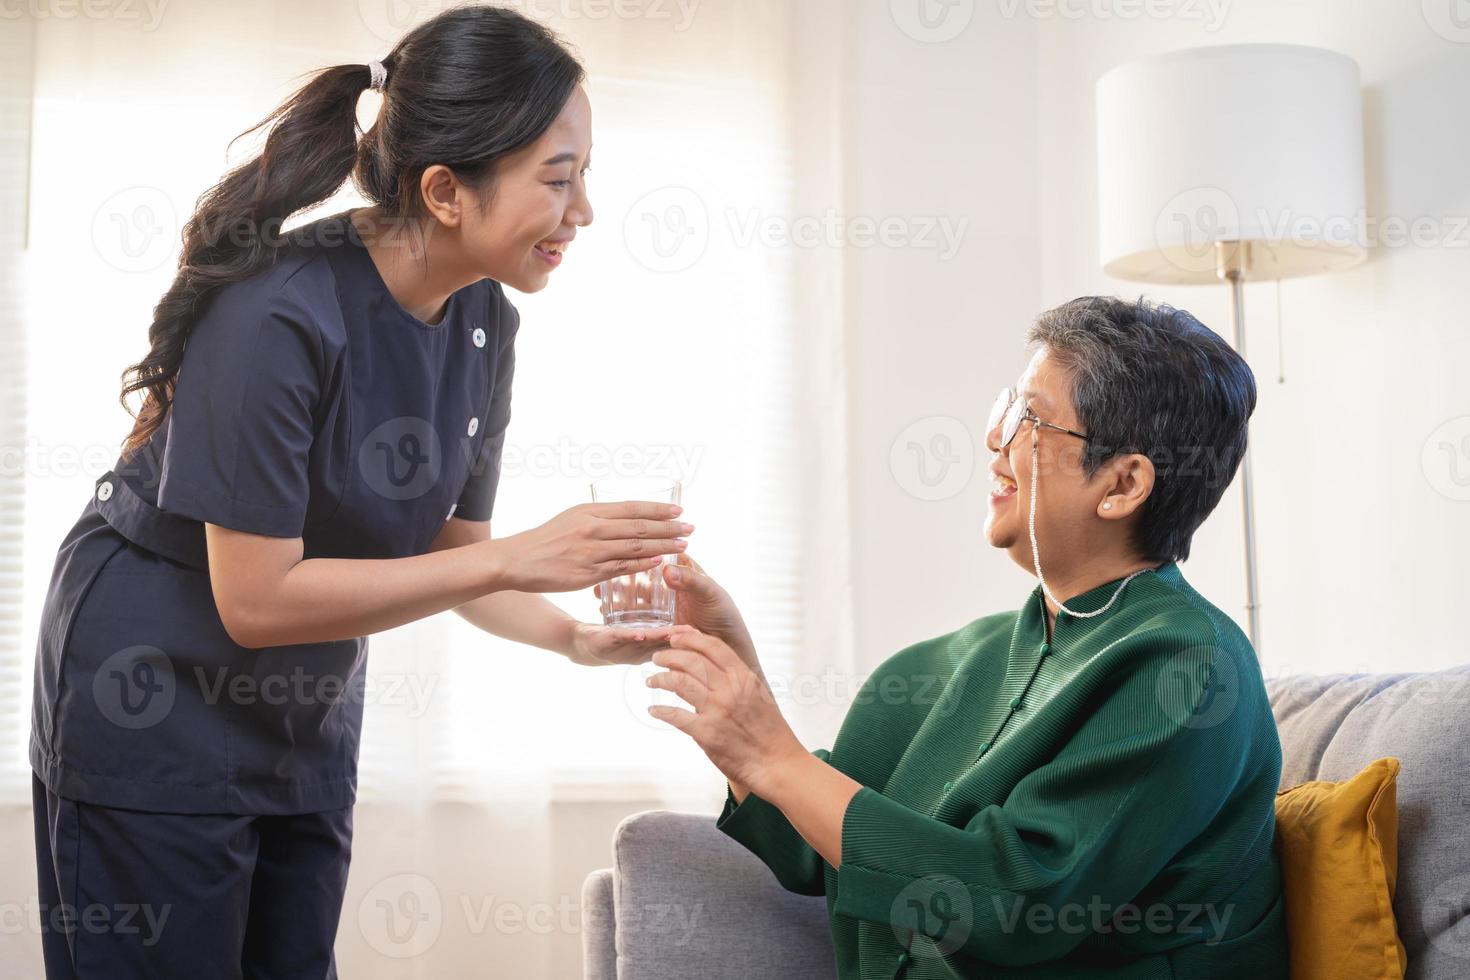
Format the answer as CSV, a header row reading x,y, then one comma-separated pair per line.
x,y
1102,806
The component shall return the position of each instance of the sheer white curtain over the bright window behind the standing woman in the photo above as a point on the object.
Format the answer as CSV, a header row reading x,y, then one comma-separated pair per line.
x,y
680,337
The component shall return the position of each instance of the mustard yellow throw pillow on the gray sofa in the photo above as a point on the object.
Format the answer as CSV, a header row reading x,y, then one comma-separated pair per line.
x,y
1338,847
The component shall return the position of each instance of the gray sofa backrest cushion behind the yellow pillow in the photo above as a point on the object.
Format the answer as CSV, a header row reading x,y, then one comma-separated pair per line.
x,y
1333,727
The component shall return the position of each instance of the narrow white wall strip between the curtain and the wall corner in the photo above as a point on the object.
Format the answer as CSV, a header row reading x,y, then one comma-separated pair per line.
x,y
936,130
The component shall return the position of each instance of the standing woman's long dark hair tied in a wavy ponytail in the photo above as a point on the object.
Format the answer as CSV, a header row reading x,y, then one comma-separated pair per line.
x,y
464,90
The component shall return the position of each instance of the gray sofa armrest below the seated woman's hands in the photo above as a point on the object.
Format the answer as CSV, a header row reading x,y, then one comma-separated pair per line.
x,y
692,903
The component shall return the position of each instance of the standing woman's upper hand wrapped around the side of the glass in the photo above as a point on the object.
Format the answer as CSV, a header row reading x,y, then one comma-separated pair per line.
x,y
587,544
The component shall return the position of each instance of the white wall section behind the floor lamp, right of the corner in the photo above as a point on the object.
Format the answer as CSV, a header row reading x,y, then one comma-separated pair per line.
x,y
1362,559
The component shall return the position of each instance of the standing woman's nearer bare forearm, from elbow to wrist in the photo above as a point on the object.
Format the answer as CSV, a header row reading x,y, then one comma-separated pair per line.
x,y
320,600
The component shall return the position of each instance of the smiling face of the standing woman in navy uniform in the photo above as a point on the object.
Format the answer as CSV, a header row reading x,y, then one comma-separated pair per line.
x,y
536,205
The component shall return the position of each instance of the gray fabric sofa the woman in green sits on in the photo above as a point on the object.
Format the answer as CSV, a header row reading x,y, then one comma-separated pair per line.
x,y
684,901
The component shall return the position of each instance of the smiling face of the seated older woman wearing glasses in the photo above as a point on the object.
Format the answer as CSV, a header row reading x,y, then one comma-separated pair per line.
x,y
1068,508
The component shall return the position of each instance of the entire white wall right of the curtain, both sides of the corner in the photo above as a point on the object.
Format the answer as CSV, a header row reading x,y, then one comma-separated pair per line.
x,y
1360,544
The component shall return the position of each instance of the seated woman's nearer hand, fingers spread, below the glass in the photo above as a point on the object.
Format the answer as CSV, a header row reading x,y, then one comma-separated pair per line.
x,y
736,719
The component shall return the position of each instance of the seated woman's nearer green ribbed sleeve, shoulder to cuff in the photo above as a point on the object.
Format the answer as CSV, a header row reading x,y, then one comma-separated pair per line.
x,y
1150,768
